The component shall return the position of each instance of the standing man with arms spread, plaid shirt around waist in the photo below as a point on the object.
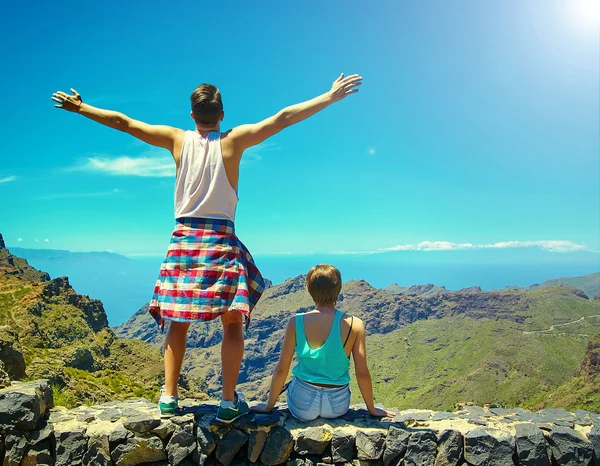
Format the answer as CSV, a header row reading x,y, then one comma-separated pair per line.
x,y
208,272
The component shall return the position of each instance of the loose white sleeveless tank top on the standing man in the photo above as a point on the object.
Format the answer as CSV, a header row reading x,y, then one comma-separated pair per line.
x,y
202,188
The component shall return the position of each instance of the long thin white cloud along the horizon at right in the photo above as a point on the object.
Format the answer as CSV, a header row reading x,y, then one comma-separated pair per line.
x,y
546,245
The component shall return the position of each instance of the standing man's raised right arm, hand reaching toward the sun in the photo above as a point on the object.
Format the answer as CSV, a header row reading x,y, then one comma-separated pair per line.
x,y
246,136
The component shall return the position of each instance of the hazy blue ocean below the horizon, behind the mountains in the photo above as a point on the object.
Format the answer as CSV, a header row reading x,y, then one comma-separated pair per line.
x,y
124,285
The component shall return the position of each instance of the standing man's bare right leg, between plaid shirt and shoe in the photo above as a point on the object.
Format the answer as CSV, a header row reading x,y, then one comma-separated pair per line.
x,y
232,352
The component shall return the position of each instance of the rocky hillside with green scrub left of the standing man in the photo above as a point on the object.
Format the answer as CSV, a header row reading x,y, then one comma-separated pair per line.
x,y
49,331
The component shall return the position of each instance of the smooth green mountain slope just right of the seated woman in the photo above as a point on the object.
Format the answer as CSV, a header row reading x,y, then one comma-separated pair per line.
x,y
437,363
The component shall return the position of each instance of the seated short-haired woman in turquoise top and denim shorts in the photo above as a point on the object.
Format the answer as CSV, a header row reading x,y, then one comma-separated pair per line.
x,y
323,340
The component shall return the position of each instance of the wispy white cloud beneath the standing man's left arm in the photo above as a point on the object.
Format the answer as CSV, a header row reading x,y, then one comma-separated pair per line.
x,y
149,165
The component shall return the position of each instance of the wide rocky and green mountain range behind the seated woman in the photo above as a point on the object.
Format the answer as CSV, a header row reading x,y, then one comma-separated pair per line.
x,y
508,347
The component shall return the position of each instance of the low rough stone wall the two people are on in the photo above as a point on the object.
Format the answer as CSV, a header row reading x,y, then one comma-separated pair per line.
x,y
131,432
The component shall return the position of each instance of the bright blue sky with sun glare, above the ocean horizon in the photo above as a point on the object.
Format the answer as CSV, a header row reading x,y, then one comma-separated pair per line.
x,y
476,126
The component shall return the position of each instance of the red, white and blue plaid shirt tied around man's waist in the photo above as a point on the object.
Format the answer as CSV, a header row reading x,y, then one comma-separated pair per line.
x,y
207,272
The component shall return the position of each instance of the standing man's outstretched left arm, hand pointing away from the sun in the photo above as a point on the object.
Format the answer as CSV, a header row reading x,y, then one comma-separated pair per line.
x,y
156,135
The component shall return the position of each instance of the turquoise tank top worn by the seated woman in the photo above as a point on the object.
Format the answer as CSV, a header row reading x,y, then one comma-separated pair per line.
x,y
327,364
